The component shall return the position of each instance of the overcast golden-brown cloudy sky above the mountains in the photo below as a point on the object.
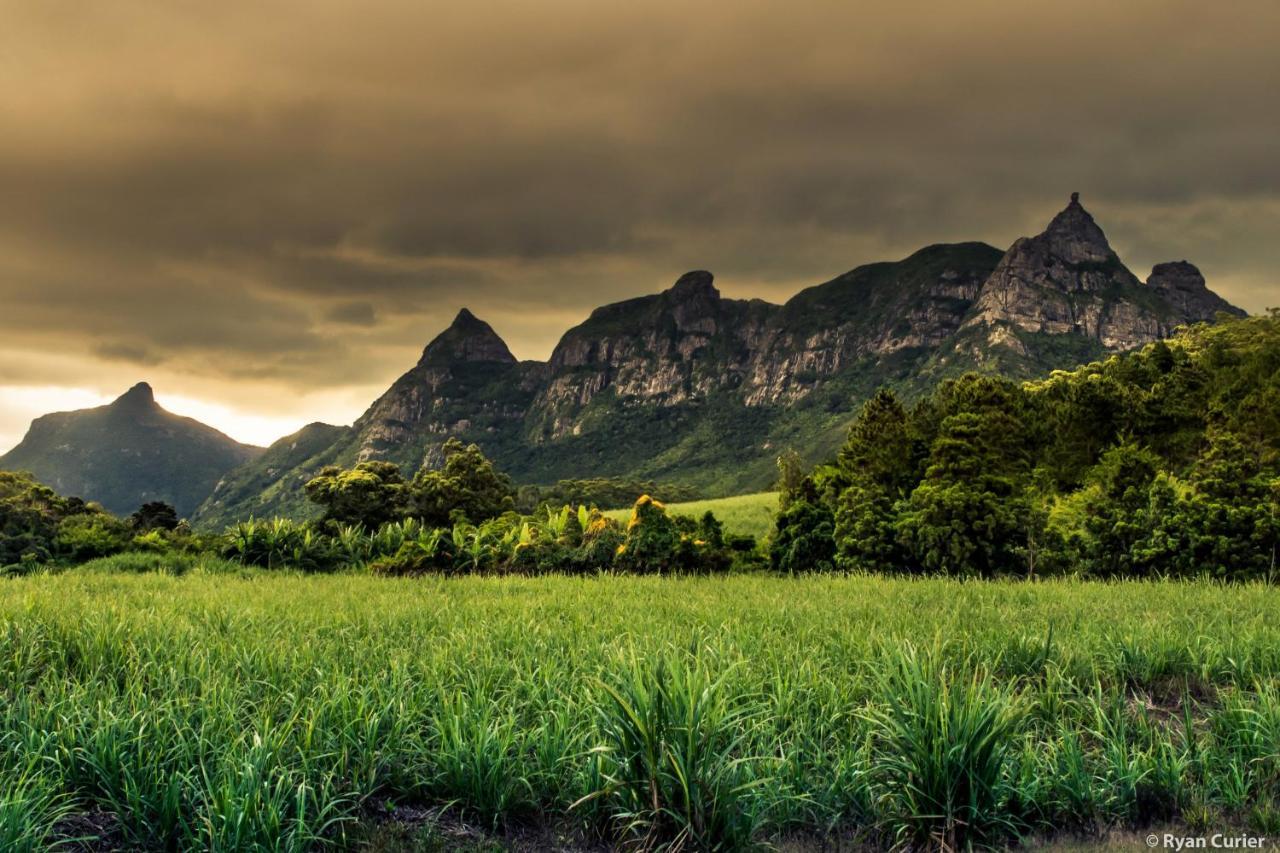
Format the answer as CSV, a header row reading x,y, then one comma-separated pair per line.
x,y
268,209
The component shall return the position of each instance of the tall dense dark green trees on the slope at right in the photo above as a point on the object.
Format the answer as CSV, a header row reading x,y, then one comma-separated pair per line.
x,y
1158,463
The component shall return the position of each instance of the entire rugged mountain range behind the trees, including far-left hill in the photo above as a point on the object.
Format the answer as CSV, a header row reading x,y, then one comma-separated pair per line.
x,y
689,387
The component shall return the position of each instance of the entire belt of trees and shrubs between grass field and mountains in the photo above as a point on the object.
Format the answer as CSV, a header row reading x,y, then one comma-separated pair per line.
x,y
1158,463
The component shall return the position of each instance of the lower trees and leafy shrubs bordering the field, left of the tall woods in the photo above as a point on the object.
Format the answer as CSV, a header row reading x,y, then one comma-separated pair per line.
x,y
459,519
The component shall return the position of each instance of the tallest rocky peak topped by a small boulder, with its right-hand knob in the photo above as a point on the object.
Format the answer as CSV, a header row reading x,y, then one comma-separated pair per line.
x,y
1069,281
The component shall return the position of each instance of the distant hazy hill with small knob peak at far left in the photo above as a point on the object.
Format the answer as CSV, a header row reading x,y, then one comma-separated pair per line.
x,y
127,454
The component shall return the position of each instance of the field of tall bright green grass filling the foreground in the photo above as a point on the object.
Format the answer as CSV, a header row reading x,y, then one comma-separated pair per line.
x,y
232,709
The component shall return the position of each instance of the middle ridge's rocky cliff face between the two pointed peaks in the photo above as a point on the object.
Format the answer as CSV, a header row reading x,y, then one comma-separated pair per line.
x,y
689,343
